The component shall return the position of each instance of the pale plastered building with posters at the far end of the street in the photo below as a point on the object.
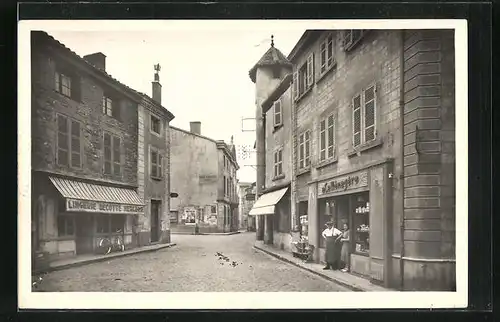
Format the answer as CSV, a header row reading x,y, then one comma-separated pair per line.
x,y
203,175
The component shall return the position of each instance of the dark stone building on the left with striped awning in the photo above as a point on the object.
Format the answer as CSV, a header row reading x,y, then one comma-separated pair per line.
x,y
84,151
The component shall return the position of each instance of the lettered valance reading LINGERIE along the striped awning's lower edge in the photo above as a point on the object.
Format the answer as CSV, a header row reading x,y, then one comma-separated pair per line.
x,y
103,207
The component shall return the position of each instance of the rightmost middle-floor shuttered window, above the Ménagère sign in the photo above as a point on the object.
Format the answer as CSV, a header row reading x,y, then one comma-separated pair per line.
x,y
362,111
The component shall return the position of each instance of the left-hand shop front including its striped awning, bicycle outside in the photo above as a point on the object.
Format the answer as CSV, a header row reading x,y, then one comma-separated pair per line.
x,y
74,217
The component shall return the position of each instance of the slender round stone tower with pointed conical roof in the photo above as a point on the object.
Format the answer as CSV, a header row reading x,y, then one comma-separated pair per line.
x,y
267,73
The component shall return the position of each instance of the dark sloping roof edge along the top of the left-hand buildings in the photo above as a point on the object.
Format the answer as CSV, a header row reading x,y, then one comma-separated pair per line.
x,y
44,36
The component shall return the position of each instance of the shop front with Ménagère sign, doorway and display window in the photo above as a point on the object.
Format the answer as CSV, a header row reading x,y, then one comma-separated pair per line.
x,y
360,202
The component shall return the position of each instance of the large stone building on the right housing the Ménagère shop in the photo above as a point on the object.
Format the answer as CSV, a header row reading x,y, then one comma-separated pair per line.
x,y
373,148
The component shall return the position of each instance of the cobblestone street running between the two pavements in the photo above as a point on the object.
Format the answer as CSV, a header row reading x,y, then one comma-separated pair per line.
x,y
205,263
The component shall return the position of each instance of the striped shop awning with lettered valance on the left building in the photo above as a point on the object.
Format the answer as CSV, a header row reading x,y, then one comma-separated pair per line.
x,y
87,197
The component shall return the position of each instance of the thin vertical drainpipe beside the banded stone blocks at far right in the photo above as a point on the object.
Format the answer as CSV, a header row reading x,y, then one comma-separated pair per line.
x,y
402,183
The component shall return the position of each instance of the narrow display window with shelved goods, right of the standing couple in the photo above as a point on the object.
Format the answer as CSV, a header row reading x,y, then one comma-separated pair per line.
x,y
361,223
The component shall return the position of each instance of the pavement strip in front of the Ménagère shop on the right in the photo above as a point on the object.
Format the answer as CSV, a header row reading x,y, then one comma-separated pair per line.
x,y
351,281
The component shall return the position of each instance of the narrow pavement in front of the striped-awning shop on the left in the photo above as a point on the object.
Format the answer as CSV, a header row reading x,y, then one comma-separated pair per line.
x,y
93,258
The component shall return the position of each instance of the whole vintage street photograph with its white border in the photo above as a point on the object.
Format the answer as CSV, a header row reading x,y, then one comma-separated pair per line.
x,y
210,164
